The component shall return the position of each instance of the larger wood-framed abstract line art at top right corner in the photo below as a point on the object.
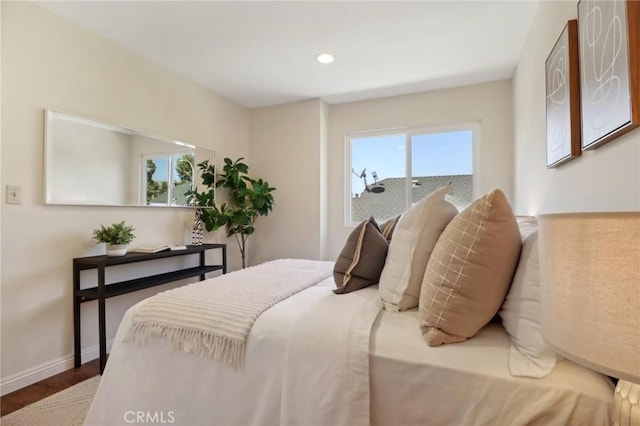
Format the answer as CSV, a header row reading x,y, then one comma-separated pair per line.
x,y
609,45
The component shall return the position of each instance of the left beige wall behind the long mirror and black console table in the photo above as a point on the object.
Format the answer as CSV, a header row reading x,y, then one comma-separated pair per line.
x,y
48,63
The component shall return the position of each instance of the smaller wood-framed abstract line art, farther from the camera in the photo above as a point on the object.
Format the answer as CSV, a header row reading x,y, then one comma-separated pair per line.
x,y
563,98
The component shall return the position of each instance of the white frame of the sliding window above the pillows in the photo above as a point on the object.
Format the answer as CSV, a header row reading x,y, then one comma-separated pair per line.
x,y
408,133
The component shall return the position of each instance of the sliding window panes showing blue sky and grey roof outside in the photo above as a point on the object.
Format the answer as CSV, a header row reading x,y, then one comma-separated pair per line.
x,y
391,170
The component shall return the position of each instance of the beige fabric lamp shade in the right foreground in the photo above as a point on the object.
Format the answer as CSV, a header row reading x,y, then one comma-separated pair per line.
x,y
590,277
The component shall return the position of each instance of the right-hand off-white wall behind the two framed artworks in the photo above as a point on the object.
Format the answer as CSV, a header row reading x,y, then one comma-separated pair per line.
x,y
607,178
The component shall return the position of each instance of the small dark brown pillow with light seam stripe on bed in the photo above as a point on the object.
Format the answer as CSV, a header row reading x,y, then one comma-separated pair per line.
x,y
361,260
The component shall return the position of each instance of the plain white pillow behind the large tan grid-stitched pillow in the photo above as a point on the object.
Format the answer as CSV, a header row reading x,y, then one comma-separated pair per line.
x,y
521,312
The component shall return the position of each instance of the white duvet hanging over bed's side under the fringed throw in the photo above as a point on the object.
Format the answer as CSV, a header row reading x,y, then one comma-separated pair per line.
x,y
313,337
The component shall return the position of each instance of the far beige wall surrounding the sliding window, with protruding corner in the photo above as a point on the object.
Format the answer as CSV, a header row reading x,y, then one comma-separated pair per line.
x,y
300,149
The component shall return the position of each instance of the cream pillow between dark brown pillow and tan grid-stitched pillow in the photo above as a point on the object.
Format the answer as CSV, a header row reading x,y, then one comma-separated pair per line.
x,y
413,240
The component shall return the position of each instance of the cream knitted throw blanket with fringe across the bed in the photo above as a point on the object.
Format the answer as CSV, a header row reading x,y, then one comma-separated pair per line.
x,y
213,317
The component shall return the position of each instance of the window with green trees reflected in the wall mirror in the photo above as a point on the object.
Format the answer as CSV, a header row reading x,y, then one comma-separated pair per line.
x,y
167,178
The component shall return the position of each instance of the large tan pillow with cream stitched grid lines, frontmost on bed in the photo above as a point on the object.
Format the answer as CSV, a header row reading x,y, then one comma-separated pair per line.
x,y
469,271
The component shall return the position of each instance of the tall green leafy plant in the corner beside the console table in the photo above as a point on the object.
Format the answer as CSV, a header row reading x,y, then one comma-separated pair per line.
x,y
248,199
